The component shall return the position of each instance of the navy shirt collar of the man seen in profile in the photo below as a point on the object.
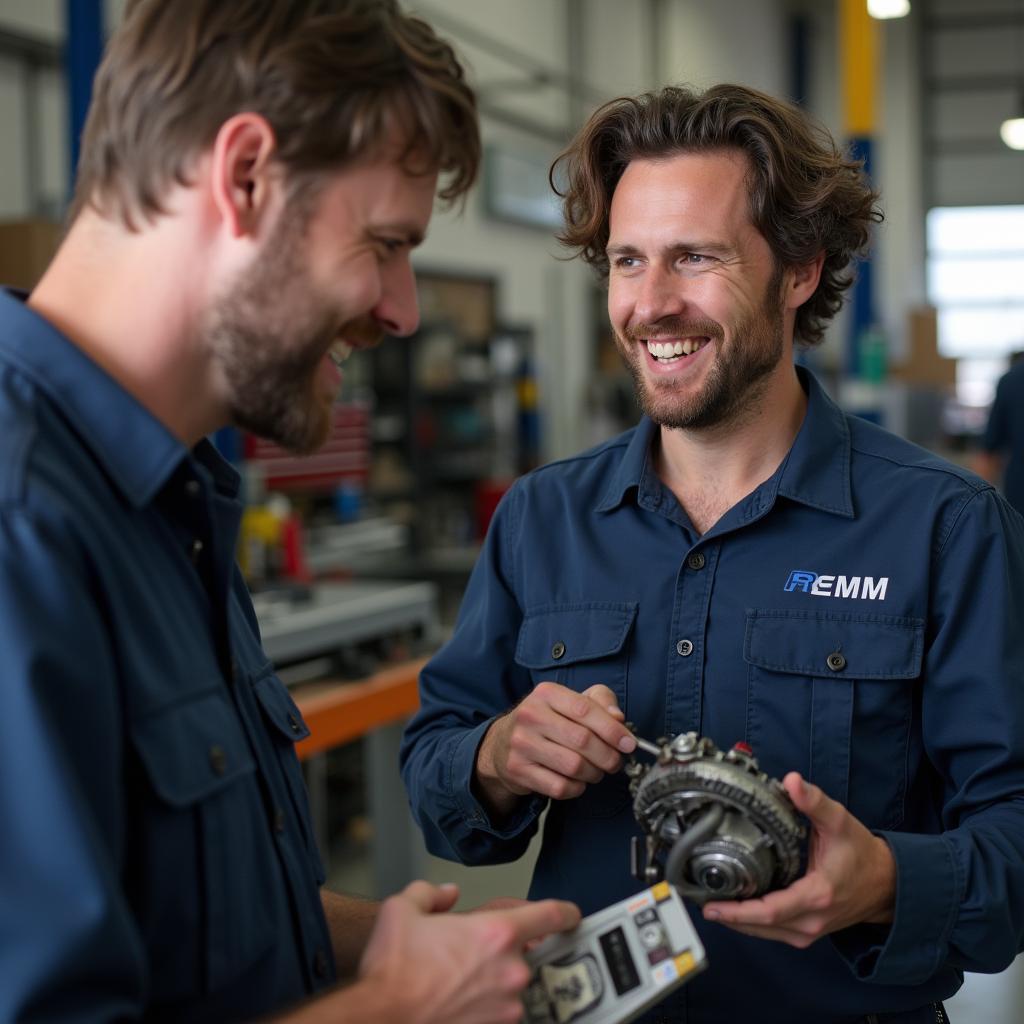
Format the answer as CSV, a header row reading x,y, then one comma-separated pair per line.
x,y
135,448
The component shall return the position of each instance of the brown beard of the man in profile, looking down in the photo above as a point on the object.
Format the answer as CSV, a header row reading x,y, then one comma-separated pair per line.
x,y
269,334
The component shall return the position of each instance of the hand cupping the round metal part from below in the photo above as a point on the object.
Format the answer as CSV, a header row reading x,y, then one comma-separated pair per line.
x,y
851,879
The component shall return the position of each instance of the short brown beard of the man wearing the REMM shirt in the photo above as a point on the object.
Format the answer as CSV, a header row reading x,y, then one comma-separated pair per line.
x,y
737,379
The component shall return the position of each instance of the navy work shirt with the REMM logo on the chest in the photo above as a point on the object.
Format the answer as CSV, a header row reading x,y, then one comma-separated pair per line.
x,y
860,543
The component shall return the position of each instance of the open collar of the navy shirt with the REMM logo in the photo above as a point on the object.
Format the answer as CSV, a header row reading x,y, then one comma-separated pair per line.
x,y
817,472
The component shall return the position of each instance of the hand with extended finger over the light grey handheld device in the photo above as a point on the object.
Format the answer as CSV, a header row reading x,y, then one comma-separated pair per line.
x,y
456,968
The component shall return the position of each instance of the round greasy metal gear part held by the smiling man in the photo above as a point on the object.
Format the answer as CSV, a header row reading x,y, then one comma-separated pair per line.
x,y
716,827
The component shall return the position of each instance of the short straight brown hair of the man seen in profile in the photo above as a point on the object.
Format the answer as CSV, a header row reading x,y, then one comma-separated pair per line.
x,y
332,78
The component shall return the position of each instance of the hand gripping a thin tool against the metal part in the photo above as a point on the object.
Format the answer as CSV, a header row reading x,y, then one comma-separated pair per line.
x,y
556,743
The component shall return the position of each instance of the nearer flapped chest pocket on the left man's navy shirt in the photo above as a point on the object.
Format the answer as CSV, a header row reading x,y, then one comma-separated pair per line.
x,y
205,855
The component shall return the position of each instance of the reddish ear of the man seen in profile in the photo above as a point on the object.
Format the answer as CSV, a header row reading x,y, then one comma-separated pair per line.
x,y
241,181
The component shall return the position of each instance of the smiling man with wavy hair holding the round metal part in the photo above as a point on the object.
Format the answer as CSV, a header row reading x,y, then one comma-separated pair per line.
x,y
752,565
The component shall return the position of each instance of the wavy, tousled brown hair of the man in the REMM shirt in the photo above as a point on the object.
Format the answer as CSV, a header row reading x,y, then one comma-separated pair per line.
x,y
805,196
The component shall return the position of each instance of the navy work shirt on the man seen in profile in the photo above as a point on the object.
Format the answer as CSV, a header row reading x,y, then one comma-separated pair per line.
x,y
157,859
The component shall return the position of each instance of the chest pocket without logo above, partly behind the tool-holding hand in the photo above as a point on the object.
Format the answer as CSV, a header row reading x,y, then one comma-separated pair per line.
x,y
579,646
